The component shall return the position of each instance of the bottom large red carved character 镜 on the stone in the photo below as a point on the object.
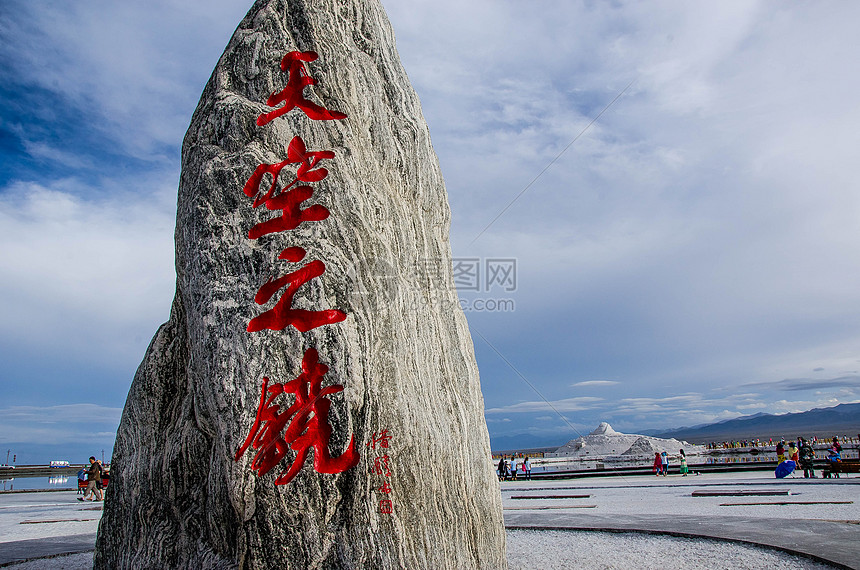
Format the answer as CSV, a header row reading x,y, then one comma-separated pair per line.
x,y
304,432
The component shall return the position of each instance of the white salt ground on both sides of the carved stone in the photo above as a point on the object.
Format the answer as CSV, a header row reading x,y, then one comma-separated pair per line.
x,y
25,516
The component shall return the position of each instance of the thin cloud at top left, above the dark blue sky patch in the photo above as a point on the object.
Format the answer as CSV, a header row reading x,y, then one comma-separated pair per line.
x,y
138,67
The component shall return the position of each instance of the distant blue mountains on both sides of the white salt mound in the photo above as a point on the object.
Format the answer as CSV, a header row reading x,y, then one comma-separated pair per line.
x,y
840,420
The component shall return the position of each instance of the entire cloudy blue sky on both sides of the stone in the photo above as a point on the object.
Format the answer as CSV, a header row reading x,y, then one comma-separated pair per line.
x,y
659,198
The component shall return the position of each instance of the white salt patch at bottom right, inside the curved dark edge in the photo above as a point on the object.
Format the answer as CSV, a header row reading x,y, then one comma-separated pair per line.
x,y
586,550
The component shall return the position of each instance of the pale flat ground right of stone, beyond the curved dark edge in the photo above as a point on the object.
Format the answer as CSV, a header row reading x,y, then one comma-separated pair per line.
x,y
819,518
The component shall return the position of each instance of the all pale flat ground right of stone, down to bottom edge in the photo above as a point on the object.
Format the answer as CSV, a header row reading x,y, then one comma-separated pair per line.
x,y
818,526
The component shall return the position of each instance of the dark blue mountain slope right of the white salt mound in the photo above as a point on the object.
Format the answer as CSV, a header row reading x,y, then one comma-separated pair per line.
x,y
840,420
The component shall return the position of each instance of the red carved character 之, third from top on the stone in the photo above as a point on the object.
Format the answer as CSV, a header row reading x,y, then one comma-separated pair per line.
x,y
283,314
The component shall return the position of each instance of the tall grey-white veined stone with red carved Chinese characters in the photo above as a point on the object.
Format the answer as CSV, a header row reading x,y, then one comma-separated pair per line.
x,y
313,401
